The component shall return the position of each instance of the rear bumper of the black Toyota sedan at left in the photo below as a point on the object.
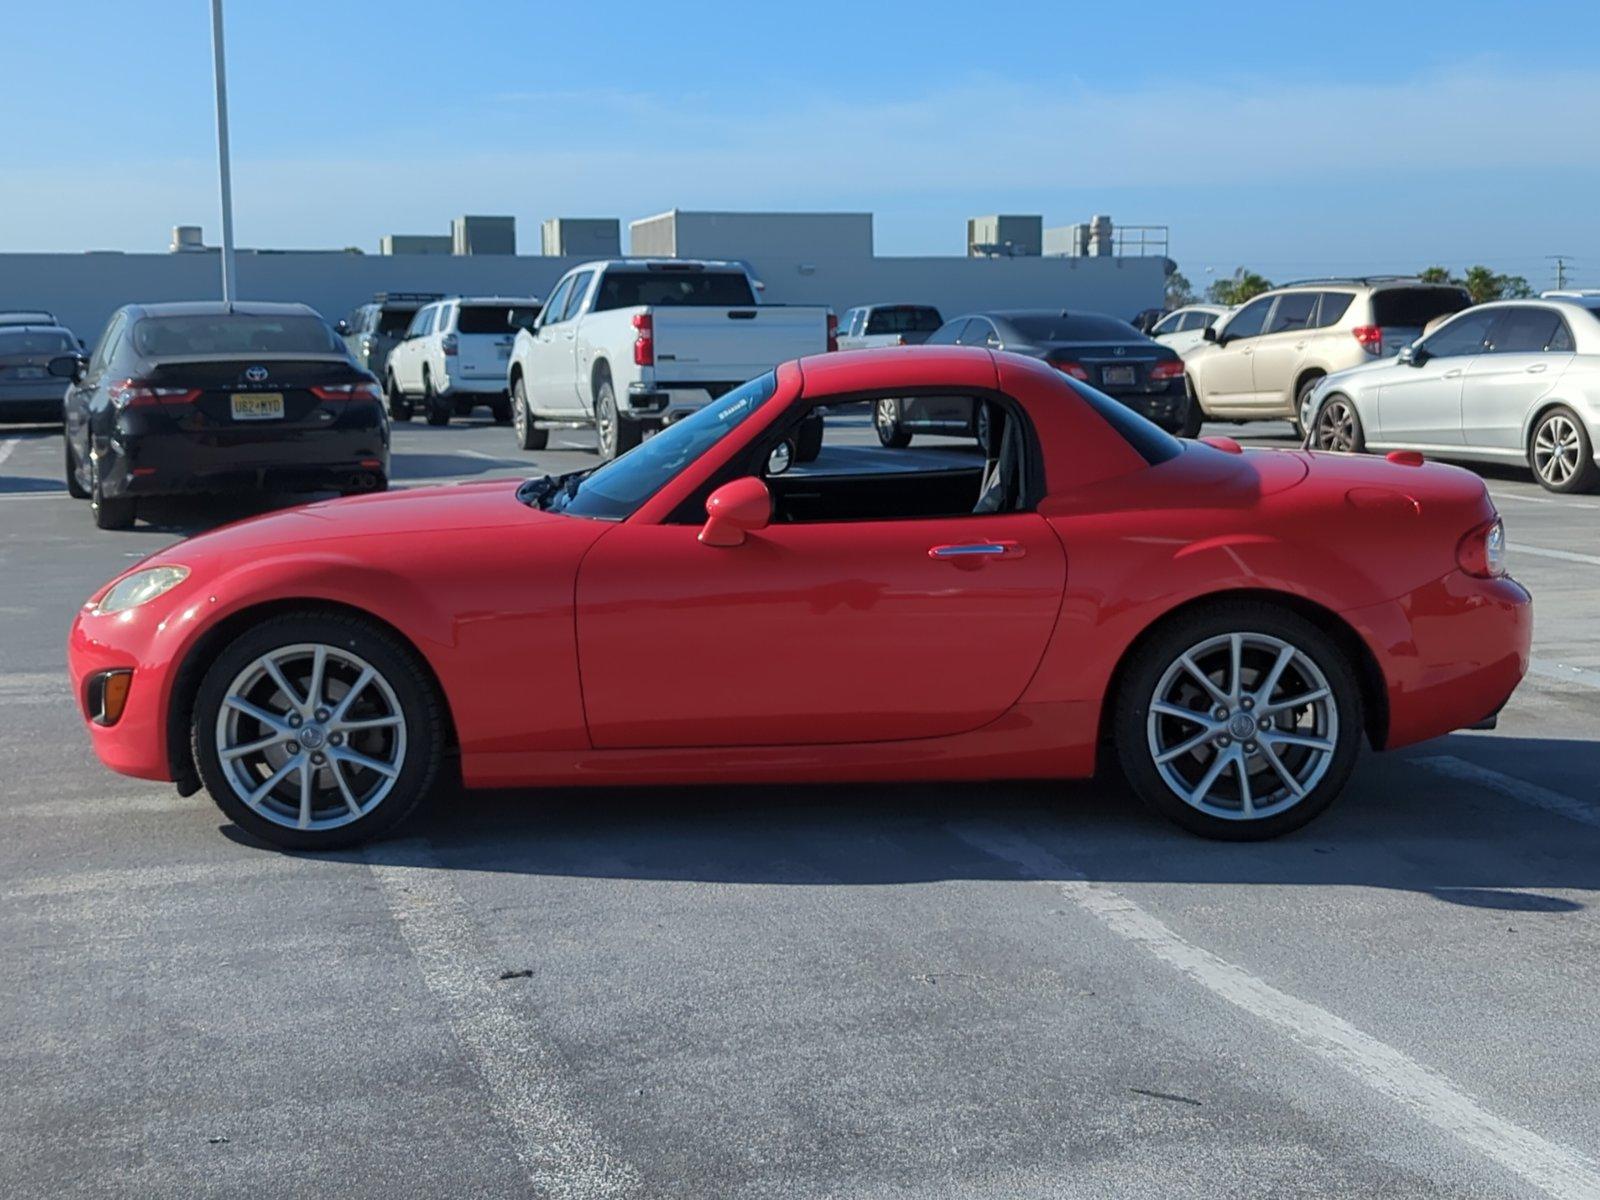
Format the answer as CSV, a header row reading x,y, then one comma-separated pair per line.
x,y
175,463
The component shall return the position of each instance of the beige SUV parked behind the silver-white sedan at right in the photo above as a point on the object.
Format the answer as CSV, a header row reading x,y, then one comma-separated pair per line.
x,y
1265,359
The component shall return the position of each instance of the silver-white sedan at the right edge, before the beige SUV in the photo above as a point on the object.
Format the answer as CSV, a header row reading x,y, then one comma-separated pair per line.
x,y
1514,382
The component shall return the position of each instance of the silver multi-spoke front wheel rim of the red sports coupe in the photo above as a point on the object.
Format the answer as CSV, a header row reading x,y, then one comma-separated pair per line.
x,y
311,737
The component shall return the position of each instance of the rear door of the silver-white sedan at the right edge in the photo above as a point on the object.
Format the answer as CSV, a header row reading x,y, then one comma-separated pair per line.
x,y
1526,354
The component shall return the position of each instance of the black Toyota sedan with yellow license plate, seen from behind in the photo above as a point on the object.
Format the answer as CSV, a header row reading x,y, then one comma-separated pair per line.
x,y
206,398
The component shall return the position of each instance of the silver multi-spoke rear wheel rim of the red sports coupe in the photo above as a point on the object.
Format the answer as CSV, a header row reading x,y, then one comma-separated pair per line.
x,y
1242,727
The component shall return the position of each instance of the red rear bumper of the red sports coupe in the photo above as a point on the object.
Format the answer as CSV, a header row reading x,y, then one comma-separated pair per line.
x,y
1450,654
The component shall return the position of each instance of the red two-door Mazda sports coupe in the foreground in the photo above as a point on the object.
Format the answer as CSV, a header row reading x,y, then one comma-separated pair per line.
x,y
1226,625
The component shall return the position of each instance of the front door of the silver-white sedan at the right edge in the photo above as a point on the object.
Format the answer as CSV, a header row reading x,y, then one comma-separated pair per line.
x,y
1420,404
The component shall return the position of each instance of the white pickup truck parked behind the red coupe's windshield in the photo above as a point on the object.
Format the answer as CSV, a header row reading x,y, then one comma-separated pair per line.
x,y
631,345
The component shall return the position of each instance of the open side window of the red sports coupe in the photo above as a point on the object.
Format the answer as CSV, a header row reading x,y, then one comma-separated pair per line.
x,y
948,476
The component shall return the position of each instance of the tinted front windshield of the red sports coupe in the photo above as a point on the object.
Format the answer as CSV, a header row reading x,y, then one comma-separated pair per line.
x,y
618,489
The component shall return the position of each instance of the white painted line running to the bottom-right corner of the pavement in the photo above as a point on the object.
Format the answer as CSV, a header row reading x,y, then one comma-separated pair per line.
x,y
1558,1170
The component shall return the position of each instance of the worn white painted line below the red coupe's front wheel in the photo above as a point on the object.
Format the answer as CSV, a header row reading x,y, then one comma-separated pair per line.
x,y
561,1153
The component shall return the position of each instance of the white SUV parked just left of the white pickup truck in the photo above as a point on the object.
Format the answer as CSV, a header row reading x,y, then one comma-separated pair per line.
x,y
454,358
